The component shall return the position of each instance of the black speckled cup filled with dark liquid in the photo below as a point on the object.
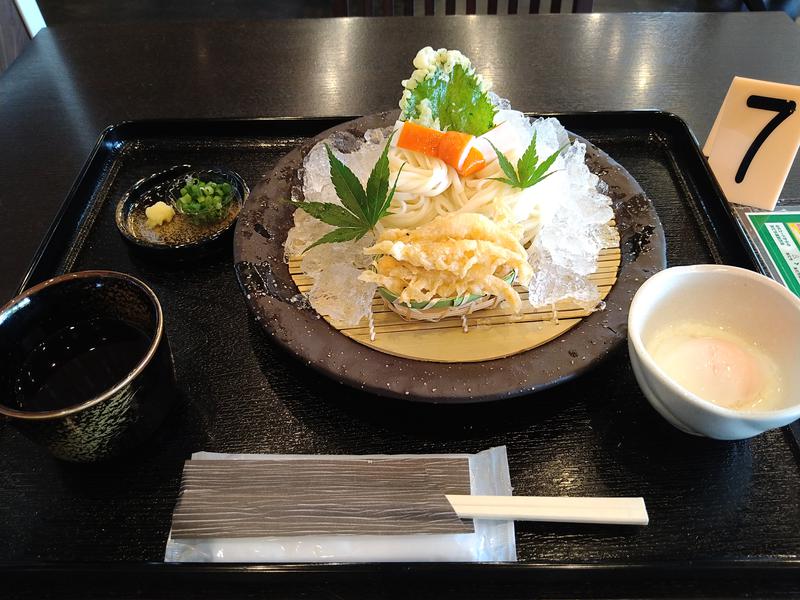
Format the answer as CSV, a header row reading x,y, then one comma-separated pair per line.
x,y
85,366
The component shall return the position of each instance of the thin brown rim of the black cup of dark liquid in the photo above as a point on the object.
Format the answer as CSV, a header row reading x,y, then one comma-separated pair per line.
x,y
112,391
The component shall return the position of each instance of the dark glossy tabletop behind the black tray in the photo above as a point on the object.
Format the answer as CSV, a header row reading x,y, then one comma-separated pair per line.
x,y
71,83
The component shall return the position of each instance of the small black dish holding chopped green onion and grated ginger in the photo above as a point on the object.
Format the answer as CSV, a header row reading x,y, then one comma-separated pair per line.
x,y
184,237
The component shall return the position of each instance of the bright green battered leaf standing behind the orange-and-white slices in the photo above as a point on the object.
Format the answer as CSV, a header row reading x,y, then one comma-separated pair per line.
x,y
455,99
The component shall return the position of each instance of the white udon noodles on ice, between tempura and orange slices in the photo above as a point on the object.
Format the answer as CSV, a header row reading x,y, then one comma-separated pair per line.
x,y
428,187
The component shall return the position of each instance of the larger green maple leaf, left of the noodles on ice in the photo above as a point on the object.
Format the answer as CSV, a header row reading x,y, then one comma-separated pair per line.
x,y
361,209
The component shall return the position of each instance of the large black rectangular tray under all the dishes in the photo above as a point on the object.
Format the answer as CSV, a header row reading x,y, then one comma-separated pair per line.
x,y
718,509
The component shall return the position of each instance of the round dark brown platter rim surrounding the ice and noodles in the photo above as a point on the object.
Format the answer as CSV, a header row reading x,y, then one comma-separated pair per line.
x,y
274,297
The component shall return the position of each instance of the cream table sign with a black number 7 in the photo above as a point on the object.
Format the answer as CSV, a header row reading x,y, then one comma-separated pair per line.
x,y
754,140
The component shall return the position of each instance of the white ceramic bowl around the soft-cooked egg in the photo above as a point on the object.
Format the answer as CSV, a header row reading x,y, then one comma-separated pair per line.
x,y
756,308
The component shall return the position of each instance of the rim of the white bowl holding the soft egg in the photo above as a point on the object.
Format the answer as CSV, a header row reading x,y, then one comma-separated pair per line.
x,y
635,333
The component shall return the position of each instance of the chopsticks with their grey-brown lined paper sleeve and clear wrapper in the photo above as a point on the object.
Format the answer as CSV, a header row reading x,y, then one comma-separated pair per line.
x,y
298,508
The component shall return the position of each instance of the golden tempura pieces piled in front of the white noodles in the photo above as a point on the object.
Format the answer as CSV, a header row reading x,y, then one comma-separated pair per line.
x,y
455,254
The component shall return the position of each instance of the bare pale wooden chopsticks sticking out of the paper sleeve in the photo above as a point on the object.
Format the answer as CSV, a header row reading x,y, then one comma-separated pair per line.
x,y
561,509
